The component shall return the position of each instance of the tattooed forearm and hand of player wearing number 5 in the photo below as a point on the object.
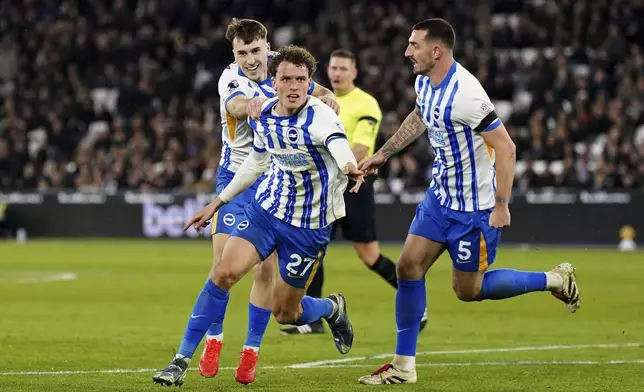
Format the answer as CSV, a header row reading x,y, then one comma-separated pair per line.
x,y
409,130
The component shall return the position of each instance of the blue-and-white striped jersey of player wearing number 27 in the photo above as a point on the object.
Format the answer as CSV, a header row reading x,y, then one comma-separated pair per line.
x,y
304,185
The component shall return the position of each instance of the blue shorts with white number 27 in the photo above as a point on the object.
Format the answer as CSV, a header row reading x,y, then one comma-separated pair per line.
x,y
299,251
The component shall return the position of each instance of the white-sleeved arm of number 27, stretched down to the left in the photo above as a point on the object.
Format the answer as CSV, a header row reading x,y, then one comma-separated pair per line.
x,y
249,171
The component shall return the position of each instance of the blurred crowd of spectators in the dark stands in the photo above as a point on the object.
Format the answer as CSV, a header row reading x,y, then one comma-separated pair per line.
x,y
102,95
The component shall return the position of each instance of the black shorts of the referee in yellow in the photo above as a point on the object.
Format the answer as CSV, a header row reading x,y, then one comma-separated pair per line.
x,y
359,224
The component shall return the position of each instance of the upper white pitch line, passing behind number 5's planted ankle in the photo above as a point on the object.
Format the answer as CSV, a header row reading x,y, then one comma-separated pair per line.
x,y
471,351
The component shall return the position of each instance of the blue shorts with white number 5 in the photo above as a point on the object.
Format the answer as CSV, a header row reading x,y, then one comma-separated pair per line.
x,y
468,236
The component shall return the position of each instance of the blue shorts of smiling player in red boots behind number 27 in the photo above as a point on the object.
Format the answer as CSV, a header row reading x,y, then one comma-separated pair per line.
x,y
231,213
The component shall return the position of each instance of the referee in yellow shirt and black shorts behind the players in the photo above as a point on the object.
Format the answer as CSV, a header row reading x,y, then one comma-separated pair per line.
x,y
361,117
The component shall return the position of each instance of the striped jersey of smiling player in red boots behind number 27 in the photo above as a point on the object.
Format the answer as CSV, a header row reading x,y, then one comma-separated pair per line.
x,y
236,136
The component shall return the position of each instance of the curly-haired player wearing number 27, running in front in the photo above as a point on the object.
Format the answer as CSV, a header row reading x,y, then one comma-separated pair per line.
x,y
302,144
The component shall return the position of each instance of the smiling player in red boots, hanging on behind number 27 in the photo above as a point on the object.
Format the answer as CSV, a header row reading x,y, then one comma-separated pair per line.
x,y
243,86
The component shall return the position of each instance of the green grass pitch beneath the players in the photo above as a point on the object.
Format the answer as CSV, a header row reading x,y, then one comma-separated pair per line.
x,y
88,307
